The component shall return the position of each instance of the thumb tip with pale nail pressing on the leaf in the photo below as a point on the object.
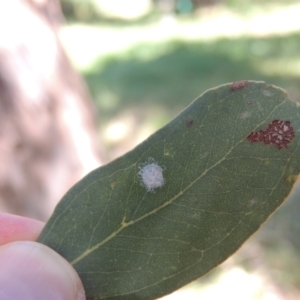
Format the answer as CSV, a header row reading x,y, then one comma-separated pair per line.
x,y
29,270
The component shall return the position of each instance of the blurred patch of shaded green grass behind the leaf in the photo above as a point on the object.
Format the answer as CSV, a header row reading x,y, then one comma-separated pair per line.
x,y
183,70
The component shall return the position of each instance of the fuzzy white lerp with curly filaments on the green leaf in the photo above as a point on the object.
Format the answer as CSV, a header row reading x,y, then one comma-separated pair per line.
x,y
151,175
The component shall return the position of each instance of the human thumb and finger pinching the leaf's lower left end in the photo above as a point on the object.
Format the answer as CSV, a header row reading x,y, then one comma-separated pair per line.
x,y
30,270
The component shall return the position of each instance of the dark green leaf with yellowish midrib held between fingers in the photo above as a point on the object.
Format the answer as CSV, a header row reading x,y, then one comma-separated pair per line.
x,y
127,243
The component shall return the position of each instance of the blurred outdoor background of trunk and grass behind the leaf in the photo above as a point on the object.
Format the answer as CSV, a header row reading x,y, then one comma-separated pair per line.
x,y
84,81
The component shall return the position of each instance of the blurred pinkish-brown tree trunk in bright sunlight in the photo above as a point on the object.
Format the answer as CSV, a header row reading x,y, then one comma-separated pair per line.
x,y
48,137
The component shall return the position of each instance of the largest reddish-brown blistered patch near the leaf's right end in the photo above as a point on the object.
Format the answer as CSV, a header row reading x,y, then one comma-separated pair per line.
x,y
279,133
